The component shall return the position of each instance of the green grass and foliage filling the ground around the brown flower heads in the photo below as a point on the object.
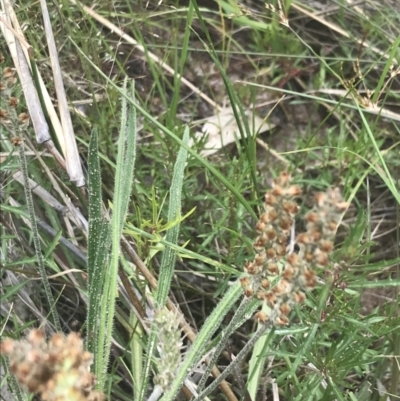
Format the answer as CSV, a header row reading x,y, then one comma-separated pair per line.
x,y
328,86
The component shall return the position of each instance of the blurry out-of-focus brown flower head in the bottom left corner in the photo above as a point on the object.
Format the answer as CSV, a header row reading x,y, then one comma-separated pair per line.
x,y
58,370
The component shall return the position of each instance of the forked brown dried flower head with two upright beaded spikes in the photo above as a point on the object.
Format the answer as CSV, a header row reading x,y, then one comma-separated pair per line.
x,y
297,270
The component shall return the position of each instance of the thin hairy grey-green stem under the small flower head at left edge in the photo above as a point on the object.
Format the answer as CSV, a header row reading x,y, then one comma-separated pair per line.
x,y
36,240
